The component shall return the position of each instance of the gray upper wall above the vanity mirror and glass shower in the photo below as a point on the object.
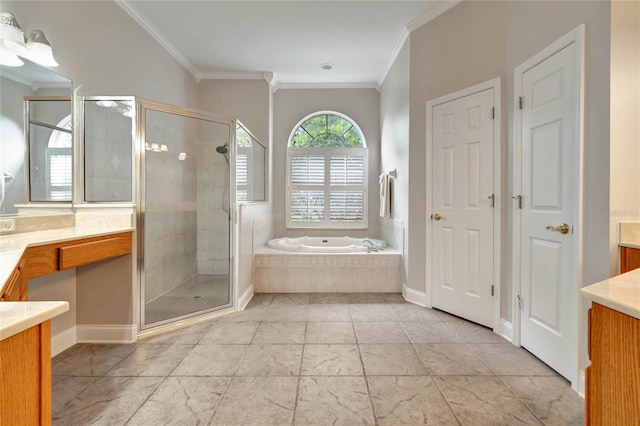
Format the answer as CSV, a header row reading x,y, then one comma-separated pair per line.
x,y
98,45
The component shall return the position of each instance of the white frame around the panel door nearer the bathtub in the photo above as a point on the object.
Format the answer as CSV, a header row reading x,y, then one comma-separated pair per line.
x,y
497,186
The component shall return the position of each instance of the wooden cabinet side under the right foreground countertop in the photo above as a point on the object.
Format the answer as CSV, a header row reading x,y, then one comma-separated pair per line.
x,y
612,394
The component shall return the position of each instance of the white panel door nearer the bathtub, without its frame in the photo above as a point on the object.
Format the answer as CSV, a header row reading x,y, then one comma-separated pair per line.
x,y
462,200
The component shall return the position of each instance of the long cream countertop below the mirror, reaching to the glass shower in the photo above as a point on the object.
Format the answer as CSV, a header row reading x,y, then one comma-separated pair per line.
x,y
13,246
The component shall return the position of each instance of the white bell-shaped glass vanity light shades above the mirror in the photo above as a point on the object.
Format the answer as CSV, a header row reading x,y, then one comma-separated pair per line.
x,y
12,44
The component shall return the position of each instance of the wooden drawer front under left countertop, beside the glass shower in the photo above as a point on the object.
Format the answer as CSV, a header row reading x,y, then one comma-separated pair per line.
x,y
80,254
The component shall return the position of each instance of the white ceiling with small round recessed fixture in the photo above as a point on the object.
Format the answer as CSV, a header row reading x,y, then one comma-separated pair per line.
x,y
287,40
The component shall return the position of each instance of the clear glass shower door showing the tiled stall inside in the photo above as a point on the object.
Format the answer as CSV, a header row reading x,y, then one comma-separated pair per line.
x,y
184,190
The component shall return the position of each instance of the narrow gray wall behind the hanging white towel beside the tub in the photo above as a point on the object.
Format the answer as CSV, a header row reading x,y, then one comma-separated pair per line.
x,y
394,146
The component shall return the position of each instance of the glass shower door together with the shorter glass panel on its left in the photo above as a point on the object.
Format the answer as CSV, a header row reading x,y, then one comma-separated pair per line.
x,y
181,184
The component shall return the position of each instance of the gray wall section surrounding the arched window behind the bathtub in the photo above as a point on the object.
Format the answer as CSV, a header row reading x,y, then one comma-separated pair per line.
x,y
291,106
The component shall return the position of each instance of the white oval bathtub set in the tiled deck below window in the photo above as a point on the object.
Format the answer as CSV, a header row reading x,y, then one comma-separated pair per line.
x,y
325,244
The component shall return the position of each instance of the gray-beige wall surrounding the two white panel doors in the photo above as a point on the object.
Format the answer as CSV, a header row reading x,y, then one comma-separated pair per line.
x,y
477,41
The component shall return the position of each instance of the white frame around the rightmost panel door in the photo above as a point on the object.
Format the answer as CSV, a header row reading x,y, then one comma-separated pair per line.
x,y
575,36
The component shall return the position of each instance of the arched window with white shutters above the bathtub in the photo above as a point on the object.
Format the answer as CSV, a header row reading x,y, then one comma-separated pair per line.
x,y
327,173
